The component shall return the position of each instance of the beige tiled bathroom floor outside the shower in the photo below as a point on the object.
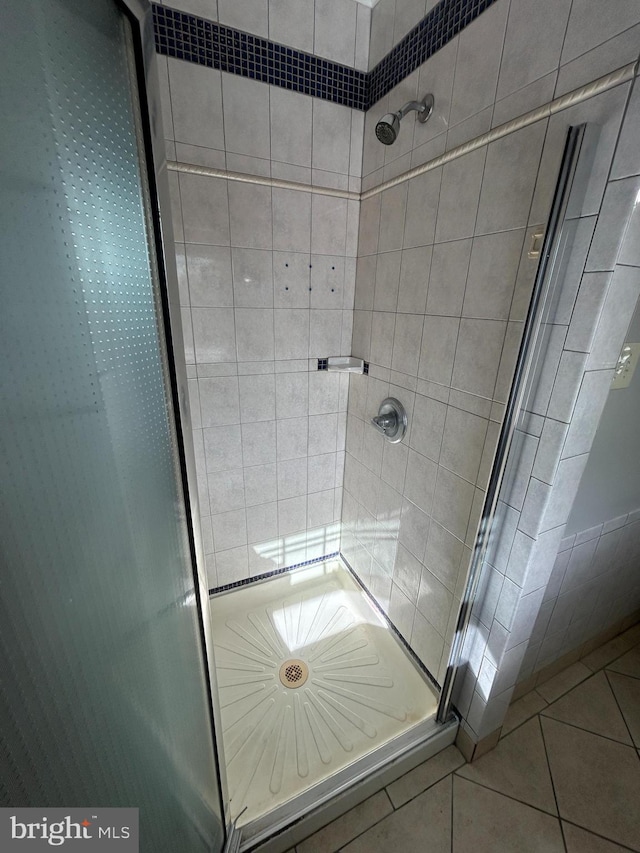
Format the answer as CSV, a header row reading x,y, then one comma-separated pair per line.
x,y
565,776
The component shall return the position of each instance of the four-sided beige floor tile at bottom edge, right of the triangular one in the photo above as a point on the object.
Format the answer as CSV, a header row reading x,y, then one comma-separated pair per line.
x,y
487,822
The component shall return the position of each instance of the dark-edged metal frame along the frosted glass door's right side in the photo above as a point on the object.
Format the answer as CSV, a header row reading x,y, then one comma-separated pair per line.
x,y
139,14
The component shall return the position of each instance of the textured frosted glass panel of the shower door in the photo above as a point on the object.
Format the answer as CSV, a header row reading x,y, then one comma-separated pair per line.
x,y
102,695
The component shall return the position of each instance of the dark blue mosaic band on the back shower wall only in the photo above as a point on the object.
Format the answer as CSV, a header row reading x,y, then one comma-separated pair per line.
x,y
184,36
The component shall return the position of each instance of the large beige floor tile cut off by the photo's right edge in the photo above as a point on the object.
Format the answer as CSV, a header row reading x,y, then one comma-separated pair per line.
x,y
596,780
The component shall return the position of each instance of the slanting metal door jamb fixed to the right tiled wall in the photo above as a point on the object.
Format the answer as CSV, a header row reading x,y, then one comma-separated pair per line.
x,y
523,374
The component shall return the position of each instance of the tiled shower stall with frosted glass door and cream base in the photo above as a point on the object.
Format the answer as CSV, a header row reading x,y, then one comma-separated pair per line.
x,y
287,453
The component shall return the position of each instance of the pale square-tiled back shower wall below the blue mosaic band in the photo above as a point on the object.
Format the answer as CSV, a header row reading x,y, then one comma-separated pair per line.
x,y
267,279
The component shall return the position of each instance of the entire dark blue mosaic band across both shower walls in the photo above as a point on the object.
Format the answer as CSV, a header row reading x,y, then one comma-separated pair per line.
x,y
184,36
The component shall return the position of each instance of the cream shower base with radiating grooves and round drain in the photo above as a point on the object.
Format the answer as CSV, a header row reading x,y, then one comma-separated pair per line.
x,y
361,690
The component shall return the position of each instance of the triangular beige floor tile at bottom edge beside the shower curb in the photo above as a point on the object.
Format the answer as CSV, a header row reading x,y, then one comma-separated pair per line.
x,y
424,823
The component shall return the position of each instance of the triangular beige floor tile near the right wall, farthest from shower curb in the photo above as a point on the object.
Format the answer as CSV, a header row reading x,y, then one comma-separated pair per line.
x,y
592,706
